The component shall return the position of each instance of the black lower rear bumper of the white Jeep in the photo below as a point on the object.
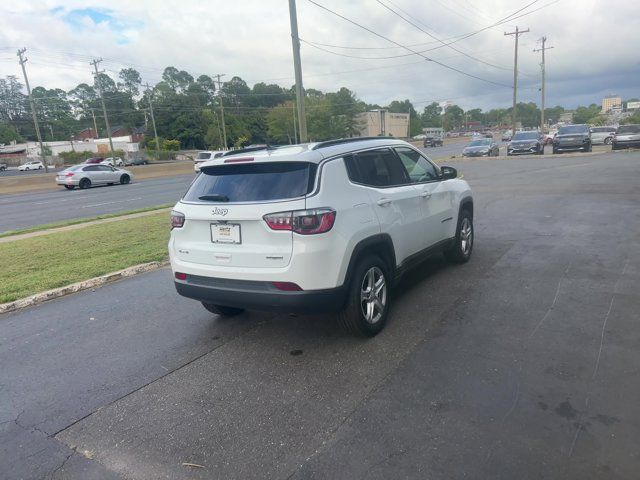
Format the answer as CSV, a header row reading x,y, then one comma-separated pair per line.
x,y
254,295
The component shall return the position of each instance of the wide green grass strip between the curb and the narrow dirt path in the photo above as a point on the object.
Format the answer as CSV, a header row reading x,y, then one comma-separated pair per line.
x,y
41,263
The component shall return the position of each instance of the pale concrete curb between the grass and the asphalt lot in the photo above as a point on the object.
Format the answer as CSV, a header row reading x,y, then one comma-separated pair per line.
x,y
80,286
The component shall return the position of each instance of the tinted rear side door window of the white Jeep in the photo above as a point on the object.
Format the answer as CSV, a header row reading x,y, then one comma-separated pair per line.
x,y
378,168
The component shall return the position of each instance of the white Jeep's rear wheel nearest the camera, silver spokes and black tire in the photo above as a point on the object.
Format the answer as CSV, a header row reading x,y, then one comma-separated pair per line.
x,y
367,306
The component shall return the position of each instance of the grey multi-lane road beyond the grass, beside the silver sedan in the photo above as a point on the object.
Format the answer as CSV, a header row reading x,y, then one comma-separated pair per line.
x,y
36,208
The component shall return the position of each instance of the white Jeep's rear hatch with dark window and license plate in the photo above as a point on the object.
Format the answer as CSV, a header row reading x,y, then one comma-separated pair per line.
x,y
224,210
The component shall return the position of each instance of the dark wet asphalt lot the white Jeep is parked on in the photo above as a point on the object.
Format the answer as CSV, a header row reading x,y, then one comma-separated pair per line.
x,y
522,363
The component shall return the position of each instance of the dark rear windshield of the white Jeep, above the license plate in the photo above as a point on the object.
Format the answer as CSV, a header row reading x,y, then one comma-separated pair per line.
x,y
252,182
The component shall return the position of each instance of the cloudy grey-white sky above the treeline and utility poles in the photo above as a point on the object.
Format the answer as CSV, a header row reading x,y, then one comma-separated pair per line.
x,y
595,45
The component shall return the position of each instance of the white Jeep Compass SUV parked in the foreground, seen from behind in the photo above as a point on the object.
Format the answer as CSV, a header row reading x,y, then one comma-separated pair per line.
x,y
316,227
